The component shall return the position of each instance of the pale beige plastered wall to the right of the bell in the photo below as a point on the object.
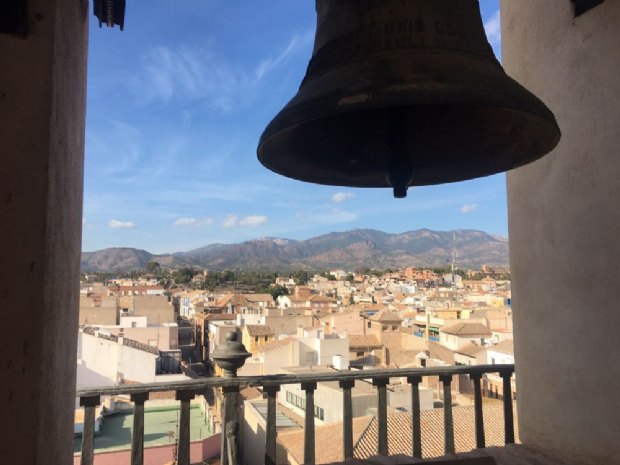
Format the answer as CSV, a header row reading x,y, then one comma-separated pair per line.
x,y
564,224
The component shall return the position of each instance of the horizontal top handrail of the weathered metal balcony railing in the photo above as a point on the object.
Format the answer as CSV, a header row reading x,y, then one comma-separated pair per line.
x,y
278,380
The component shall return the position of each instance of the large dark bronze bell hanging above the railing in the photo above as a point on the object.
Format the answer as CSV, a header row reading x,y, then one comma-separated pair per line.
x,y
404,93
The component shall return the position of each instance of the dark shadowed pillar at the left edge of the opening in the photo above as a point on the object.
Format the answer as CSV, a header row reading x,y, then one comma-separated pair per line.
x,y
42,106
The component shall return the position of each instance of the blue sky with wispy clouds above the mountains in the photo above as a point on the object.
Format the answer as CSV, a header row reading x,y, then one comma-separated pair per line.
x,y
176,105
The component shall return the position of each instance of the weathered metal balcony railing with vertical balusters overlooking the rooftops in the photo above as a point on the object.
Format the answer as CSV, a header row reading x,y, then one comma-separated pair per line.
x,y
230,386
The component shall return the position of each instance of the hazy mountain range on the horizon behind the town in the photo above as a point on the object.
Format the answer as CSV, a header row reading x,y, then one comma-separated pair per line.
x,y
349,250
